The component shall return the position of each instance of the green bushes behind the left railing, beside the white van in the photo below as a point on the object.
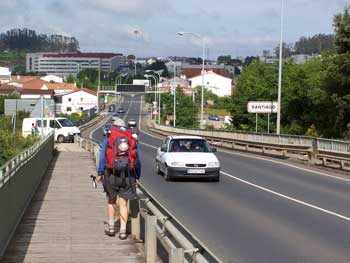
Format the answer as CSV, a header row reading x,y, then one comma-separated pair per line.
x,y
13,143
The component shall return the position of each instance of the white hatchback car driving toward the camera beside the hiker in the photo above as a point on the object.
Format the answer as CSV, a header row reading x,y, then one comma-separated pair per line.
x,y
187,157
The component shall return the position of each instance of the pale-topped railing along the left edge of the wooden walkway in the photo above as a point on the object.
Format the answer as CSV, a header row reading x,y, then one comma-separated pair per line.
x,y
19,179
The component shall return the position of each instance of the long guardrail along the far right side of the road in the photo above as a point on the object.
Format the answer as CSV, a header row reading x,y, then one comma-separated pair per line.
x,y
332,153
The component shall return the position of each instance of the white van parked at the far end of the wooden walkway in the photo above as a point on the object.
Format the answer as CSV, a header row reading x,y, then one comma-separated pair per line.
x,y
64,128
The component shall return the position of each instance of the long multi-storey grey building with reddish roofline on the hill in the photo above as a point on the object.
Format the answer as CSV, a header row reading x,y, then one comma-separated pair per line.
x,y
65,64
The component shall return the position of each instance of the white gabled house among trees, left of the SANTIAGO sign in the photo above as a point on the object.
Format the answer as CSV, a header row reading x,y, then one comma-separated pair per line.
x,y
219,85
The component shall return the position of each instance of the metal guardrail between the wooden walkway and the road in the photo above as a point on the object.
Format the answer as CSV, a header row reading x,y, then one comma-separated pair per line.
x,y
158,224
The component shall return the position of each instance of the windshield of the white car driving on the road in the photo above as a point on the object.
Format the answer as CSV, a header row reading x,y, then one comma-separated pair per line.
x,y
188,145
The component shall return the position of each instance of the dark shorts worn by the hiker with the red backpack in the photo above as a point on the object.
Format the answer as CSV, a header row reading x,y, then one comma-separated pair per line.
x,y
111,185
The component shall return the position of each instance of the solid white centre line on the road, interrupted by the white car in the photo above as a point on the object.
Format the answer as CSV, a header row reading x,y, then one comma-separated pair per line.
x,y
275,193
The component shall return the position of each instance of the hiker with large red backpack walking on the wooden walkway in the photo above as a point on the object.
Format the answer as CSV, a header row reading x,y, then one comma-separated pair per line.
x,y
117,170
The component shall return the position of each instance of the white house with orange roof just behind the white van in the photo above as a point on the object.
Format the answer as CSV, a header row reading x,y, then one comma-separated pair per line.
x,y
77,101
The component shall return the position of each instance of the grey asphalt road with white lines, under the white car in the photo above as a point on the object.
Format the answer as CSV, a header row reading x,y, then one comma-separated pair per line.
x,y
262,210
